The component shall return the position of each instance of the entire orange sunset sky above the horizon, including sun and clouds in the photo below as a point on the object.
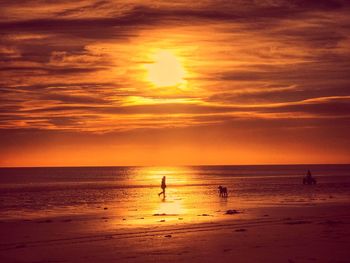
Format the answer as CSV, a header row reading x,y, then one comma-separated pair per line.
x,y
163,83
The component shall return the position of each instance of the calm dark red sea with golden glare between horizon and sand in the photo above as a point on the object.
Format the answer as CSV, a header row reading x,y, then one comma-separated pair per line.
x,y
61,191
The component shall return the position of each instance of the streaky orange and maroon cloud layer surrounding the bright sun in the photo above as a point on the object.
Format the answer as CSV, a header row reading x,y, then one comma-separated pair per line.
x,y
282,59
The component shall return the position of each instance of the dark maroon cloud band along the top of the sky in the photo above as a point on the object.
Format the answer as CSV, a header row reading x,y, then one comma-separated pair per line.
x,y
142,15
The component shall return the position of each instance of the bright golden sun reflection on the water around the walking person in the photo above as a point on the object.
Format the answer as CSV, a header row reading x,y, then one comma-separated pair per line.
x,y
145,206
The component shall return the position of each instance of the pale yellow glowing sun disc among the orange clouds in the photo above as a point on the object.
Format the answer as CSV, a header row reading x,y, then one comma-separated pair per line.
x,y
166,70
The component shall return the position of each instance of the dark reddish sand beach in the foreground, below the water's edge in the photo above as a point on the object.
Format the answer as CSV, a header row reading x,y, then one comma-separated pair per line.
x,y
318,233
